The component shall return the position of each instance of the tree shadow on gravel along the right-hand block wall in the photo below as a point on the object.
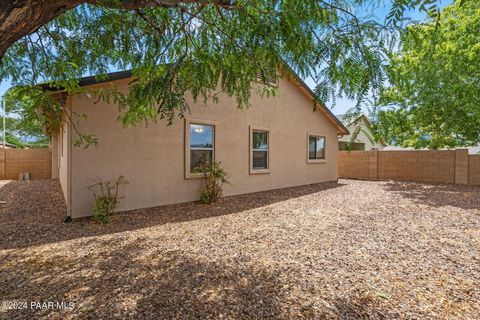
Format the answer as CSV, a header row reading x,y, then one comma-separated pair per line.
x,y
438,195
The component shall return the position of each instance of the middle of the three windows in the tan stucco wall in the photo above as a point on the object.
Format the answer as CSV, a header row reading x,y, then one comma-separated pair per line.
x,y
259,156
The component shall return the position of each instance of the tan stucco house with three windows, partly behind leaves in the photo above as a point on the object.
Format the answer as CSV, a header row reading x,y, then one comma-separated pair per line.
x,y
278,142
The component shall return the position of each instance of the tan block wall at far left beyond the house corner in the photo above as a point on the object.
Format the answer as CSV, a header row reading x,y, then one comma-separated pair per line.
x,y
38,162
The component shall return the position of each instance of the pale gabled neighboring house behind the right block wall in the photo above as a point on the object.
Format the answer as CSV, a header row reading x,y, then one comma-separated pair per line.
x,y
364,141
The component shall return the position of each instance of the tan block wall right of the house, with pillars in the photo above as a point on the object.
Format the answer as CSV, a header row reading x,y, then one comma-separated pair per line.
x,y
447,166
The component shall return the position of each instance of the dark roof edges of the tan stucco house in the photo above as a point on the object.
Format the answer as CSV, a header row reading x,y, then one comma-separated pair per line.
x,y
86,81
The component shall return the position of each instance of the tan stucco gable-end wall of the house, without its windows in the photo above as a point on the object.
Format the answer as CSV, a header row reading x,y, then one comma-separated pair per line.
x,y
152,158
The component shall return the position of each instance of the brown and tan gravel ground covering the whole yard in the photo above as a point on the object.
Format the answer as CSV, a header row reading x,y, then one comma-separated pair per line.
x,y
356,249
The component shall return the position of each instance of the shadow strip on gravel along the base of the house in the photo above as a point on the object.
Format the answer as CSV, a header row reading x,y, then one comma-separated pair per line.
x,y
35,211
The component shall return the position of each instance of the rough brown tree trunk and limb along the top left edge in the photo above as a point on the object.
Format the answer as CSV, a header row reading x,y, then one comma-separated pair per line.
x,y
19,18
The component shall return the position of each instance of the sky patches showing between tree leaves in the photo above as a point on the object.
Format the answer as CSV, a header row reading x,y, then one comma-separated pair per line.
x,y
342,104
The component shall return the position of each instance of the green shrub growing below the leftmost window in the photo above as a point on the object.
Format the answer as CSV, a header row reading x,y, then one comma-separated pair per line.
x,y
215,178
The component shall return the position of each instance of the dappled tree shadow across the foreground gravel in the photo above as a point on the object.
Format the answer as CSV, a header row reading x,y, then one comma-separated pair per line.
x,y
122,281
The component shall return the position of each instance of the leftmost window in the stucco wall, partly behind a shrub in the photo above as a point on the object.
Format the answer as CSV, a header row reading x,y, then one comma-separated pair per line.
x,y
201,139
